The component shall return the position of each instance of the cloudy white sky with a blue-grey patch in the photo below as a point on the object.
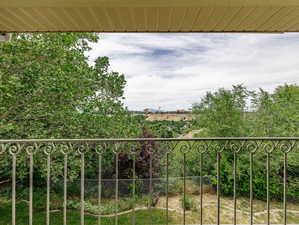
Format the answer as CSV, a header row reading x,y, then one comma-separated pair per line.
x,y
173,71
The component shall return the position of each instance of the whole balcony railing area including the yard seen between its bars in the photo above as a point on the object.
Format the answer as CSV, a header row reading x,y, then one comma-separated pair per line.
x,y
73,179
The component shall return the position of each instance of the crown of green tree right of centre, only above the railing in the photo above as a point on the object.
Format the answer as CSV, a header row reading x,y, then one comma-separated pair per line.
x,y
223,113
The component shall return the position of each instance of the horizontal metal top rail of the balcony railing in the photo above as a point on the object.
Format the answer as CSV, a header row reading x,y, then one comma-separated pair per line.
x,y
148,139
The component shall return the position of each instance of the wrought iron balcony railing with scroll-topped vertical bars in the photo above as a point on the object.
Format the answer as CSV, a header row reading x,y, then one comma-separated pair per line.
x,y
65,148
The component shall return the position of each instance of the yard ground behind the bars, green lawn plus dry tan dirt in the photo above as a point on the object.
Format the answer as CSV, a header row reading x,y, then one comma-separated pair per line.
x,y
158,216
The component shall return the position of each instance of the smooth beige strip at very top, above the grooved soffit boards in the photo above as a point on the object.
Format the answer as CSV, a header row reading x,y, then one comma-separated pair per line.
x,y
146,3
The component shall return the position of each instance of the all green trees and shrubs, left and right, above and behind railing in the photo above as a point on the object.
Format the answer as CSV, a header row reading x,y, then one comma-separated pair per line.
x,y
48,89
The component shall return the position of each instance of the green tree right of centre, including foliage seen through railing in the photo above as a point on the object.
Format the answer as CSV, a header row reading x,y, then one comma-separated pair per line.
x,y
220,114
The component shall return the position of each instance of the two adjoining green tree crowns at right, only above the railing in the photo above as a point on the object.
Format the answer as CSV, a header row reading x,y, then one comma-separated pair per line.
x,y
240,112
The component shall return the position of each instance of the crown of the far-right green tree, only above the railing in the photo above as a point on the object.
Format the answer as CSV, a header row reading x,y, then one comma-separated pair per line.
x,y
277,113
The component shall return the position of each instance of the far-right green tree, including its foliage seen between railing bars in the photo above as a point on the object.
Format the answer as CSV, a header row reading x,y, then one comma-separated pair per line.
x,y
276,115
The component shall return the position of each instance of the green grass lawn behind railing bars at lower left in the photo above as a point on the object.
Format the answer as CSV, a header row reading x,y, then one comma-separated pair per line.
x,y
143,217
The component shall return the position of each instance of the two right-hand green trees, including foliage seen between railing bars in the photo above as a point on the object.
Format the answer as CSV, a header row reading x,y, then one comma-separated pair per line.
x,y
226,113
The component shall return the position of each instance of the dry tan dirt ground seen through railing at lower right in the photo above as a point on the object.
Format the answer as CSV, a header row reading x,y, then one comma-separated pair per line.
x,y
227,210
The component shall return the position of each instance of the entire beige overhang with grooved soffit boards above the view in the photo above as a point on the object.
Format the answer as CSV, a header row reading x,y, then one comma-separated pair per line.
x,y
149,15
